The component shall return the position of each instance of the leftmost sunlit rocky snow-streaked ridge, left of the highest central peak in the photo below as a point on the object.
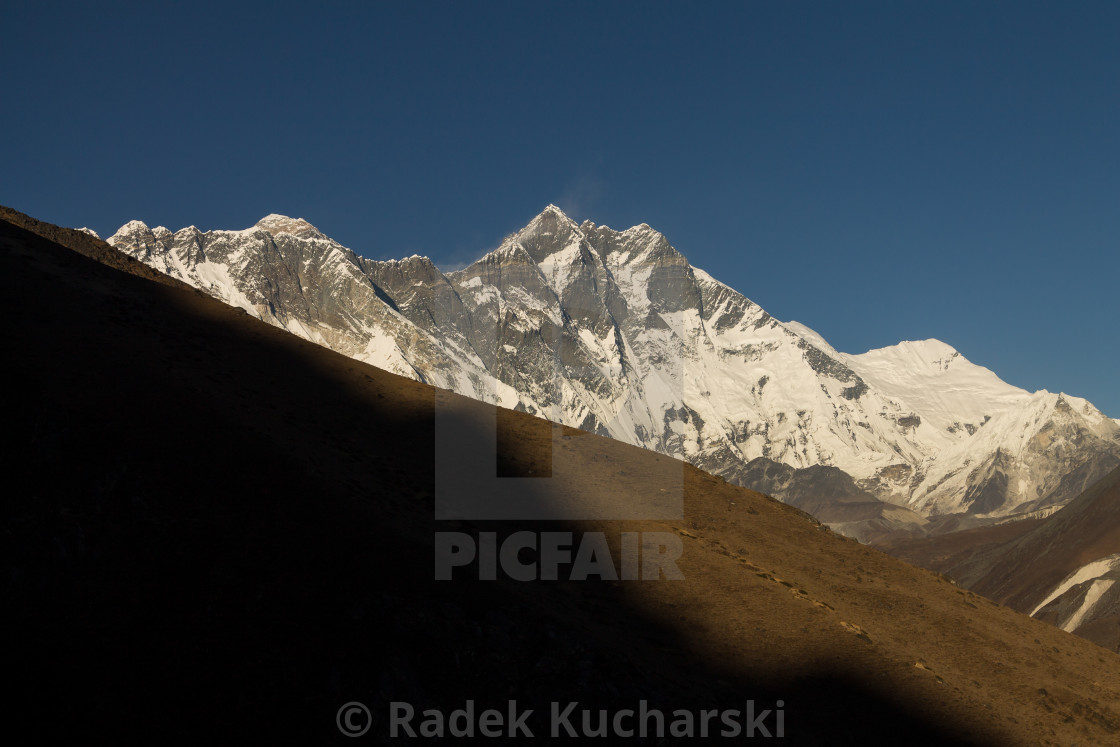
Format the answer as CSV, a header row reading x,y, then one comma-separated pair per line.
x,y
286,273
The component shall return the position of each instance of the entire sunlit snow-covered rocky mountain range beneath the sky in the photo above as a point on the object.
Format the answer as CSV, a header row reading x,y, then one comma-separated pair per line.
x,y
615,333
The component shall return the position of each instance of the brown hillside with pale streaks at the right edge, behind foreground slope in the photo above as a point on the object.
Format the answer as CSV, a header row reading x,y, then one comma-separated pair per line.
x,y
1060,568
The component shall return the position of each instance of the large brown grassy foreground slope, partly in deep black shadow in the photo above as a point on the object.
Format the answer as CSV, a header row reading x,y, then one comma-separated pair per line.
x,y
218,528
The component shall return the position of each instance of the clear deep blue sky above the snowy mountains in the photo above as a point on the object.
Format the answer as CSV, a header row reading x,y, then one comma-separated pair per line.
x,y
880,172
